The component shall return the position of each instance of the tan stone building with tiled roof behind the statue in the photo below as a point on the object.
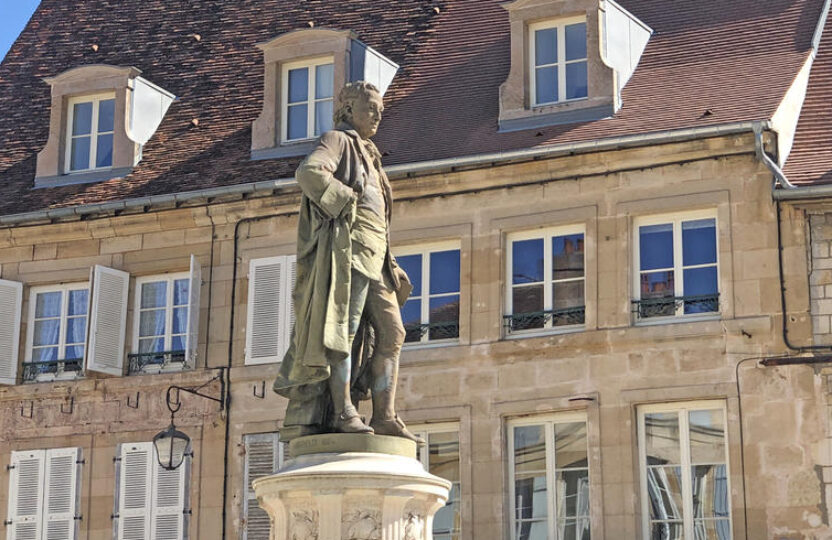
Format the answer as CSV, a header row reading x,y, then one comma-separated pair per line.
x,y
586,202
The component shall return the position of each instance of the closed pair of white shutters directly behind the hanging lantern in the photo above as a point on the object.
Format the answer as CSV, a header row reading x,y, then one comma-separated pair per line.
x,y
150,502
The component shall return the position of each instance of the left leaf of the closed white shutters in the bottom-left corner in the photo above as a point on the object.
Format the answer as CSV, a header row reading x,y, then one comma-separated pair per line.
x,y
26,495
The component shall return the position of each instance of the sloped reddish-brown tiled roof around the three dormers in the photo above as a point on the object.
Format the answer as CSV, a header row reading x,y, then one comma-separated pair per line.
x,y
734,60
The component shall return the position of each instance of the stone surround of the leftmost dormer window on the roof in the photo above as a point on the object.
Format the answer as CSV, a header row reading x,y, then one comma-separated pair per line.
x,y
78,82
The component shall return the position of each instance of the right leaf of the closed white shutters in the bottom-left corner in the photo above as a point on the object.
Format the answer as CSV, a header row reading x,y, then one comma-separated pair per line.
x,y
62,492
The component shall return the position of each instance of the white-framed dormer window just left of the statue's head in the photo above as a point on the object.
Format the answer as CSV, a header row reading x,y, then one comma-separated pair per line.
x,y
308,89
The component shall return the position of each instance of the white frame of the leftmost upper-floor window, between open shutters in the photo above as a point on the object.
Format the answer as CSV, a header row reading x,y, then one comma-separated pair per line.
x,y
64,289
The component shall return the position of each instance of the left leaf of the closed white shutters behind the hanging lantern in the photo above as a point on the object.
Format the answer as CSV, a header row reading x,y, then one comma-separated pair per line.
x,y
135,476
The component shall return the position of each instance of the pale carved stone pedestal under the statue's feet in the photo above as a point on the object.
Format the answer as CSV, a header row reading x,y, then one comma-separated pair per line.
x,y
352,487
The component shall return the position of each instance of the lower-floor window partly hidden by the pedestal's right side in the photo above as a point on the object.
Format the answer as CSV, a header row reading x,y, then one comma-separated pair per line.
x,y
440,456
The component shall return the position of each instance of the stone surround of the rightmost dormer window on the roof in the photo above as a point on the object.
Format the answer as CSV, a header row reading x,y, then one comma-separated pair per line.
x,y
516,104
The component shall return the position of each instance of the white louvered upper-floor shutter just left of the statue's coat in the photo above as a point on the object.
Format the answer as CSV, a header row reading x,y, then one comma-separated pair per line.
x,y
265,310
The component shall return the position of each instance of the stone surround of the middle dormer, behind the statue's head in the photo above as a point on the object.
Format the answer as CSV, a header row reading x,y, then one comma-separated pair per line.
x,y
294,46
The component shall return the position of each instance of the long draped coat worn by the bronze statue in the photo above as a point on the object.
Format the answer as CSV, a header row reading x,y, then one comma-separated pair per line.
x,y
328,178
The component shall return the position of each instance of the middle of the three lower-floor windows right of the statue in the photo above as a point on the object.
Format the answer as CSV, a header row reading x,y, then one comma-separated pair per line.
x,y
549,478
